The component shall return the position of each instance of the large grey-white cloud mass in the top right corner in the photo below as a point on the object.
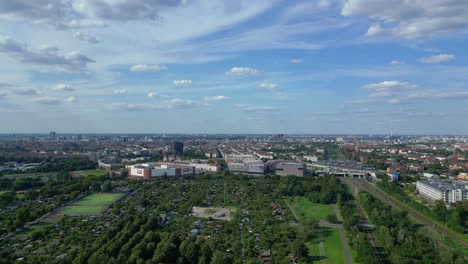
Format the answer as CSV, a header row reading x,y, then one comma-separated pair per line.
x,y
410,19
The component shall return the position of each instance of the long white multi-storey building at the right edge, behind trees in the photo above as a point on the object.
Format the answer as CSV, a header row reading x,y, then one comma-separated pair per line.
x,y
436,189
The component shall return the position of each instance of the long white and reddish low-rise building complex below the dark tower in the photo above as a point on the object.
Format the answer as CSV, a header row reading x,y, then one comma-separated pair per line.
x,y
154,170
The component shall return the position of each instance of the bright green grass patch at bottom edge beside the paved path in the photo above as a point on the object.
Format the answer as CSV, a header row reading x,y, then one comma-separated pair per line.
x,y
332,247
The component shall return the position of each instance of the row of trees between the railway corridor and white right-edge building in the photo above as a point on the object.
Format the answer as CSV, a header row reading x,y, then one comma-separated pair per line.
x,y
454,217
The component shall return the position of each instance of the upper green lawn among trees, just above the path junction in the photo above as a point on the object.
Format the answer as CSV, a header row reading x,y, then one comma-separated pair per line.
x,y
308,210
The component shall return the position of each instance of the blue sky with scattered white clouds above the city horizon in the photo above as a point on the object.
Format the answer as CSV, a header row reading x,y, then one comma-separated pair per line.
x,y
234,66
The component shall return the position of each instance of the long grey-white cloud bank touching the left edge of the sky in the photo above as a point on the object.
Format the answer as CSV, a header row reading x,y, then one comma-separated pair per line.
x,y
46,56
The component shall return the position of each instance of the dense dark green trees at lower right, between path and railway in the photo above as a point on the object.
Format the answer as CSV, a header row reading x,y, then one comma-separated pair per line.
x,y
402,240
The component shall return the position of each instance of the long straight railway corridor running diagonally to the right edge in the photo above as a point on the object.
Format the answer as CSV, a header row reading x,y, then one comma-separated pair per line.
x,y
361,184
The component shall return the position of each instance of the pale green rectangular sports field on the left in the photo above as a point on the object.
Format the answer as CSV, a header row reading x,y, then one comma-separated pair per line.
x,y
92,204
